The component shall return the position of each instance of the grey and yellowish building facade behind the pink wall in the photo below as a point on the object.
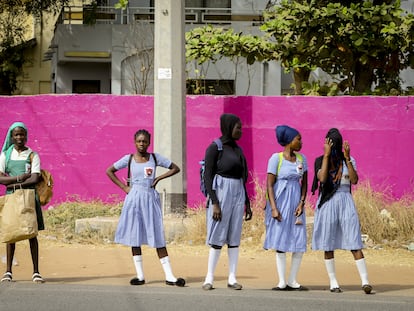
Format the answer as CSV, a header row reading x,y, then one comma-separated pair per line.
x,y
100,49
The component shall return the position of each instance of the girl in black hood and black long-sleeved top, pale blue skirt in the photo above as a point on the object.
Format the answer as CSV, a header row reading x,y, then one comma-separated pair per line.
x,y
225,178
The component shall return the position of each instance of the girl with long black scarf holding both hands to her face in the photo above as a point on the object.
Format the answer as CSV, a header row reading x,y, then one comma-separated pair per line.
x,y
336,223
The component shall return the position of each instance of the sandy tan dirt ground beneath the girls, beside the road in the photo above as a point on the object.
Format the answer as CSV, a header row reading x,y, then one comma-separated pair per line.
x,y
391,272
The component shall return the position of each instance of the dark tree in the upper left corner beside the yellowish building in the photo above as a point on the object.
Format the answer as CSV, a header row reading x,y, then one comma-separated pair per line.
x,y
13,14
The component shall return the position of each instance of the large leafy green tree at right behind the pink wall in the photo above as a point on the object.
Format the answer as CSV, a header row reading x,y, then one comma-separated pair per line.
x,y
365,42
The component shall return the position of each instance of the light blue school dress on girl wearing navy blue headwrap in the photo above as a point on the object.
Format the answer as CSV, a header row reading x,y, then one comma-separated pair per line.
x,y
285,236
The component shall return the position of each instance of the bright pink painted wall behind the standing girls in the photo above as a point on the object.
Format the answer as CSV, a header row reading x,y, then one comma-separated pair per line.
x,y
79,136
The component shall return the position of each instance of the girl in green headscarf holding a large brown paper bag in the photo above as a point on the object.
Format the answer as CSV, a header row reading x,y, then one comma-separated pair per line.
x,y
17,169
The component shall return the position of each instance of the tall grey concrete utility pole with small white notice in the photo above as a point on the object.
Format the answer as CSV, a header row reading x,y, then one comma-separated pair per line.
x,y
169,98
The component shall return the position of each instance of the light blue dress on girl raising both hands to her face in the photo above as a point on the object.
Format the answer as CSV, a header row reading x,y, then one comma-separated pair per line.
x,y
336,222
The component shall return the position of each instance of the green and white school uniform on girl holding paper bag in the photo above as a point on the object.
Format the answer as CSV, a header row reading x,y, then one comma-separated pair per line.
x,y
19,163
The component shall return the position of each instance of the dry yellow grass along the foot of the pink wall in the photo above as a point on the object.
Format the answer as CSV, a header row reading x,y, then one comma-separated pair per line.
x,y
386,221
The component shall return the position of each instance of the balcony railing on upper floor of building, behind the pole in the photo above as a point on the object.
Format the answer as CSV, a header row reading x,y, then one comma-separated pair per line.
x,y
110,15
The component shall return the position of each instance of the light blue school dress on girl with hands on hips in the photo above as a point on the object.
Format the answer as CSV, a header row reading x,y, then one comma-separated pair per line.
x,y
141,217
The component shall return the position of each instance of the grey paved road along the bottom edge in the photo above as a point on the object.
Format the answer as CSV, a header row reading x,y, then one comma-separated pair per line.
x,y
18,296
